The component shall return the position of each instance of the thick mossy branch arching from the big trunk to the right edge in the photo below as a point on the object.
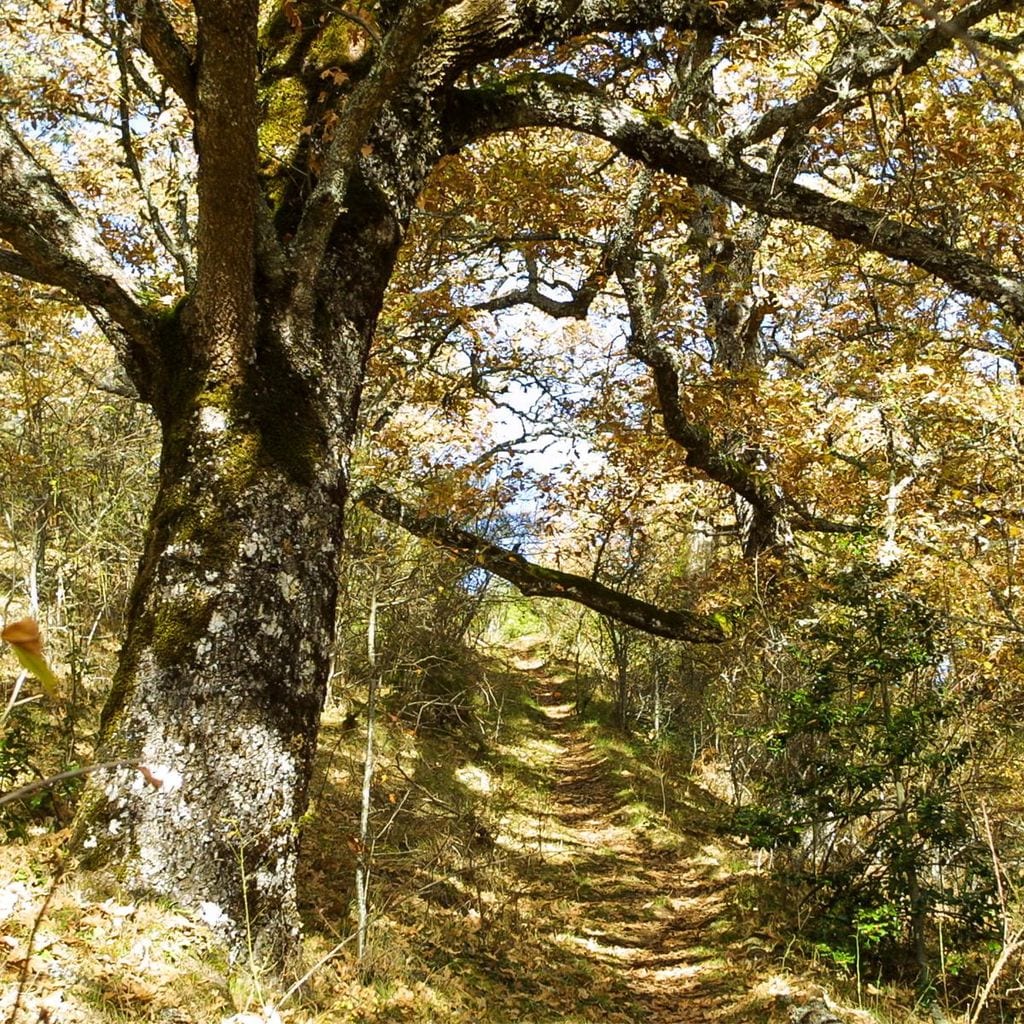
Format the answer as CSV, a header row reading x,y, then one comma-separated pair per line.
x,y
558,101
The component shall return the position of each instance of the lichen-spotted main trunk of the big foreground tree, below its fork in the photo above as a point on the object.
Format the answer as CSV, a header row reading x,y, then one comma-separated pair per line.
x,y
224,671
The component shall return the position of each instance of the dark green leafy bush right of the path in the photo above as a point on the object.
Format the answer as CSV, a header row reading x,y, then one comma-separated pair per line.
x,y
868,784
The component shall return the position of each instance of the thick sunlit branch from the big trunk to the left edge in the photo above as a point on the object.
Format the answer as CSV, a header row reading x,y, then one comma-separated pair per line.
x,y
56,246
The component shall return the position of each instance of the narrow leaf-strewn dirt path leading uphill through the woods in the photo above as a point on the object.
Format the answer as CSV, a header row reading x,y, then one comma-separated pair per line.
x,y
649,920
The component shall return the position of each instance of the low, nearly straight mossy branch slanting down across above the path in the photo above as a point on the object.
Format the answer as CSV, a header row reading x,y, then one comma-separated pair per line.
x,y
538,581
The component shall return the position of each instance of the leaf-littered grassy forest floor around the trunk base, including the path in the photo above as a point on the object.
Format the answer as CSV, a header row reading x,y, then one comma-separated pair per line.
x,y
550,875
